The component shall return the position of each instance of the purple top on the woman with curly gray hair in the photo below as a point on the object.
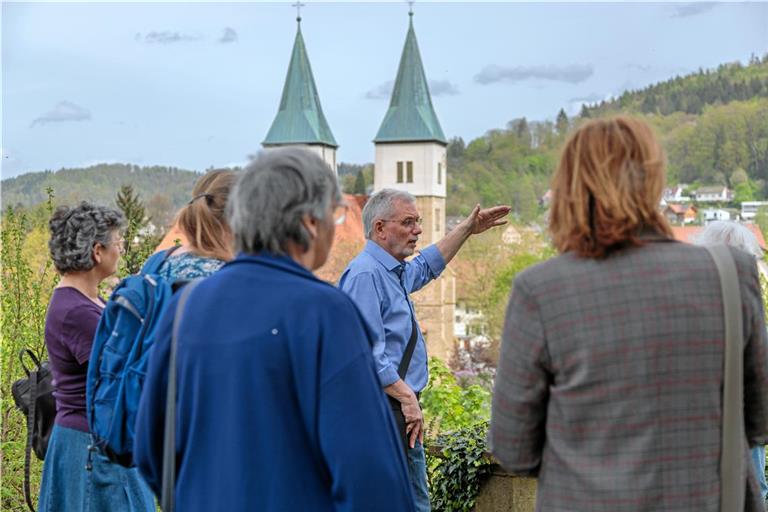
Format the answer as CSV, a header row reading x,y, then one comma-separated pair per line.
x,y
69,328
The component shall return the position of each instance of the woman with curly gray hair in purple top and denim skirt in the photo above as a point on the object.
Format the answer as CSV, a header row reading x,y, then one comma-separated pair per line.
x,y
85,246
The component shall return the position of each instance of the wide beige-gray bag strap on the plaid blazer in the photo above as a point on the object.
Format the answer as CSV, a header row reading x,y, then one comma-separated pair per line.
x,y
732,463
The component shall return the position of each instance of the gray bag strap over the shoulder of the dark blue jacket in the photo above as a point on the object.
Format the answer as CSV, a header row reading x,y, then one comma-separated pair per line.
x,y
168,486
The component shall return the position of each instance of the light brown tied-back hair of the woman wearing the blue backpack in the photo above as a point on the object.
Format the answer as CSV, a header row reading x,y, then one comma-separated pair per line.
x,y
204,221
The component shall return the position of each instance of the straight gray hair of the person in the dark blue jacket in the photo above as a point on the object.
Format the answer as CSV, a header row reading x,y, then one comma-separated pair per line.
x,y
275,192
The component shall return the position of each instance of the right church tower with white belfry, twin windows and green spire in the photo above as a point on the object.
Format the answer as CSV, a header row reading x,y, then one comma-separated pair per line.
x,y
411,156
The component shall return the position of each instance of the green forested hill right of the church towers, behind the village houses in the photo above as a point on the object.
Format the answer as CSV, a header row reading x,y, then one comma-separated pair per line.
x,y
713,125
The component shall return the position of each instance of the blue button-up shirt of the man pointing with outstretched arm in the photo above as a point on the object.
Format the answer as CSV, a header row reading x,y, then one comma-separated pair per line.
x,y
372,281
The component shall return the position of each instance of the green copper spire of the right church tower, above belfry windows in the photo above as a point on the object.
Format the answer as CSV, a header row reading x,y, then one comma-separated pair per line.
x,y
411,116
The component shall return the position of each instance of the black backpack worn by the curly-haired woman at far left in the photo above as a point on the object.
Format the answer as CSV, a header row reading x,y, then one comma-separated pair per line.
x,y
34,396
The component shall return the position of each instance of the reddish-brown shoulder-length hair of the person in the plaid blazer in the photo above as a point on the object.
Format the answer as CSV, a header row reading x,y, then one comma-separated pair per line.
x,y
607,188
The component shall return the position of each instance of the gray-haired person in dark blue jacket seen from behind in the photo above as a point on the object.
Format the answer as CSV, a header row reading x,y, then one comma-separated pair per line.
x,y
278,404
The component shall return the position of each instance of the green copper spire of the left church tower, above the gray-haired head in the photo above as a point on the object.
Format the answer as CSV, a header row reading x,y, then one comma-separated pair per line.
x,y
300,119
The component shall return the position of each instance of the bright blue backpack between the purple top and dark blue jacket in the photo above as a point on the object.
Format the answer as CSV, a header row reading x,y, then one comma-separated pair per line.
x,y
119,357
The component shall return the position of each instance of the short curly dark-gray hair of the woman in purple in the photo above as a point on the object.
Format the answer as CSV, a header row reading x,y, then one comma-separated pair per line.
x,y
75,232
